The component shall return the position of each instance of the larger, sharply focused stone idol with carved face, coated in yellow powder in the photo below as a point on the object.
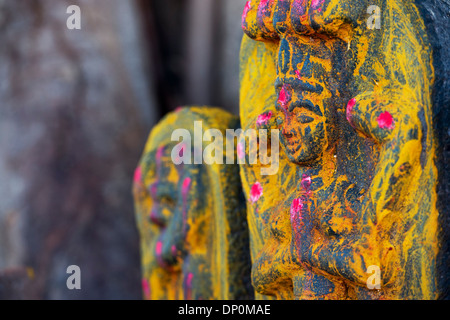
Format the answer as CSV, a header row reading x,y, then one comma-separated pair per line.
x,y
357,186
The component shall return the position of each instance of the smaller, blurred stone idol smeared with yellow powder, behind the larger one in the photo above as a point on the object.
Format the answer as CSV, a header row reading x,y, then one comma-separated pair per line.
x,y
191,217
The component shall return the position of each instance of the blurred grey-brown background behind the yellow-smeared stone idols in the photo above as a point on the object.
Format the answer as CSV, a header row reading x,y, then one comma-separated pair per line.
x,y
76,107
